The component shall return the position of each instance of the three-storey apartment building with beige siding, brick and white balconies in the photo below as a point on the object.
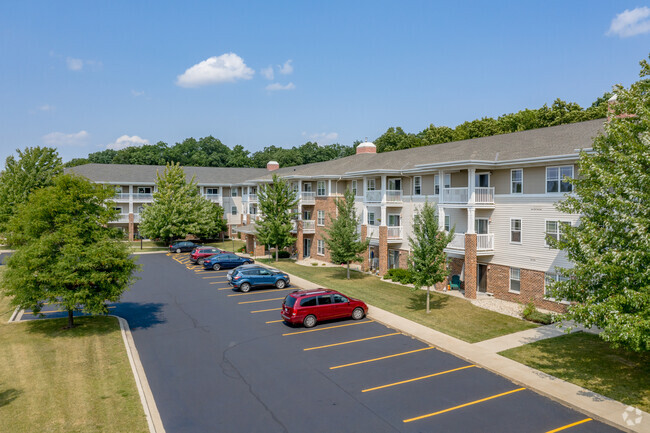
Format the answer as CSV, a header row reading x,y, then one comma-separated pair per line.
x,y
497,193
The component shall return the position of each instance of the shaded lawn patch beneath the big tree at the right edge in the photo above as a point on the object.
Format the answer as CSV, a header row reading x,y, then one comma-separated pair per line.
x,y
588,361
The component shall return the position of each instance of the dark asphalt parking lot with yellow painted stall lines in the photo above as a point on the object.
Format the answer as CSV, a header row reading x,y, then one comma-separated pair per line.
x,y
219,360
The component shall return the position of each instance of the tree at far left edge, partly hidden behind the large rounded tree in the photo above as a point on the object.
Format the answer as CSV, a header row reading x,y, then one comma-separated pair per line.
x,y
35,168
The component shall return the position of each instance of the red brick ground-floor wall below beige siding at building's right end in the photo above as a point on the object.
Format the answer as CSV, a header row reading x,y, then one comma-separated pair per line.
x,y
531,287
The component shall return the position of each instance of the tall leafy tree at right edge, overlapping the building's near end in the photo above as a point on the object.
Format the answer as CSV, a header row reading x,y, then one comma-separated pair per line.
x,y
609,284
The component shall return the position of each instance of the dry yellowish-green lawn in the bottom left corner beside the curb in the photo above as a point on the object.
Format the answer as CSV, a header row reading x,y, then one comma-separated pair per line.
x,y
55,380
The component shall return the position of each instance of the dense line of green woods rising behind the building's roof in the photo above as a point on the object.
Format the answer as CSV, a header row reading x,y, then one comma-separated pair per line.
x,y
211,152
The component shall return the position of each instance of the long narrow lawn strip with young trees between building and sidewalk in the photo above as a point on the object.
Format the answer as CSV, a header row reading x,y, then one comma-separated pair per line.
x,y
453,316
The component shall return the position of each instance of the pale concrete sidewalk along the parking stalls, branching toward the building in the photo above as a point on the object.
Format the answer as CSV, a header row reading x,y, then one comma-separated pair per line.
x,y
484,354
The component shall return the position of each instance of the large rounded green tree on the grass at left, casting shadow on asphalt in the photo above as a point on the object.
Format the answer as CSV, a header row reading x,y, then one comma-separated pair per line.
x,y
65,253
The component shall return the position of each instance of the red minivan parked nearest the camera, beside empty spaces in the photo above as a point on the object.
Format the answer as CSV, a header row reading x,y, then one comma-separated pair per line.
x,y
311,306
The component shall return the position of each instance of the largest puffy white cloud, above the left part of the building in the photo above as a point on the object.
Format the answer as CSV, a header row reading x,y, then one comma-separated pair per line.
x,y
226,68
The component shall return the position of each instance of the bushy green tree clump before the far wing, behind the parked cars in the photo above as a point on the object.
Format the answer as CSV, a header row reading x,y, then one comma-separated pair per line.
x,y
178,209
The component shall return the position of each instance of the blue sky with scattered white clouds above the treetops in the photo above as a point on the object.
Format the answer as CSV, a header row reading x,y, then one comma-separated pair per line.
x,y
84,76
